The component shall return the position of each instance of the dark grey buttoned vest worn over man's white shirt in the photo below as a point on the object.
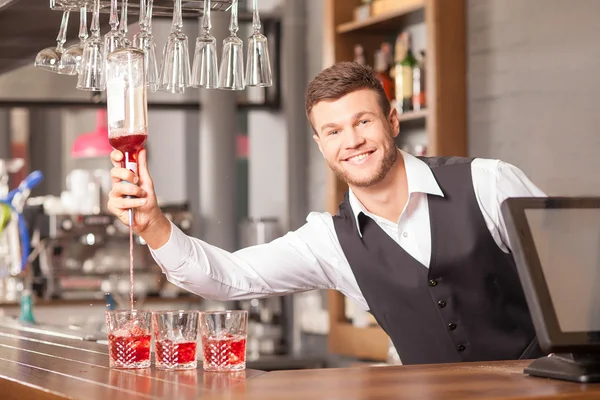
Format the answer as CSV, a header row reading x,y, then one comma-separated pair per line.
x,y
468,305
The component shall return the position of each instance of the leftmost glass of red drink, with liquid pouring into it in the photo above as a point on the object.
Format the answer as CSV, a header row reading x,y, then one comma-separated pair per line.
x,y
128,338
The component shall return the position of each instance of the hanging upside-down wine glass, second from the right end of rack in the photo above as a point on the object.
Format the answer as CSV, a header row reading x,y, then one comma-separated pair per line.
x,y
231,72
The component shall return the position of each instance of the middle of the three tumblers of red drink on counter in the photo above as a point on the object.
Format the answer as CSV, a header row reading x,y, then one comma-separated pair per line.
x,y
175,339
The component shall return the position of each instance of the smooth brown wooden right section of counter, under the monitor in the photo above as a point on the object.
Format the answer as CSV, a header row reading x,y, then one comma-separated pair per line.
x,y
496,380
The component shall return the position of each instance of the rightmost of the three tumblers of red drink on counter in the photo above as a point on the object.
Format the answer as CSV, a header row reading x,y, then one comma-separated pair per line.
x,y
224,340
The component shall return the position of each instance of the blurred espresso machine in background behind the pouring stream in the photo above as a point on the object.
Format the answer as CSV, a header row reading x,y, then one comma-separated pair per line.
x,y
85,256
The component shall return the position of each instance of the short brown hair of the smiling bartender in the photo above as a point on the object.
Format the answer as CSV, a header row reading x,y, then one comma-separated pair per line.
x,y
341,79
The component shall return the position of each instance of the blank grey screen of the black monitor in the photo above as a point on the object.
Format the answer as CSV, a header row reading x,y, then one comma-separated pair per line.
x,y
567,242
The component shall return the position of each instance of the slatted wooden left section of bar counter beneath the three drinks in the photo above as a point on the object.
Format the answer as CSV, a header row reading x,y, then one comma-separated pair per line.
x,y
35,366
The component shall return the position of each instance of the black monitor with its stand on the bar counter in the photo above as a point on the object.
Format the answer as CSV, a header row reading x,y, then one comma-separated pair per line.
x,y
556,245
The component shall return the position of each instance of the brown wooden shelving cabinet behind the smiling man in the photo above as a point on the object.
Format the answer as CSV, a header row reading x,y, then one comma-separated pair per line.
x,y
443,120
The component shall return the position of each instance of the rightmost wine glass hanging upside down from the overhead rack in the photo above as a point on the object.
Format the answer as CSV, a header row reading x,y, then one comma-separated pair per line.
x,y
258,64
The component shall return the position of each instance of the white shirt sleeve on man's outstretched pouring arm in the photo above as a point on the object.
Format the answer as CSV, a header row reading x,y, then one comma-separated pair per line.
x,y
299,261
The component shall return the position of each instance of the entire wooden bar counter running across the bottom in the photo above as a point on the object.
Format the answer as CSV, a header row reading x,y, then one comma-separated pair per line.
x,y
38,366
